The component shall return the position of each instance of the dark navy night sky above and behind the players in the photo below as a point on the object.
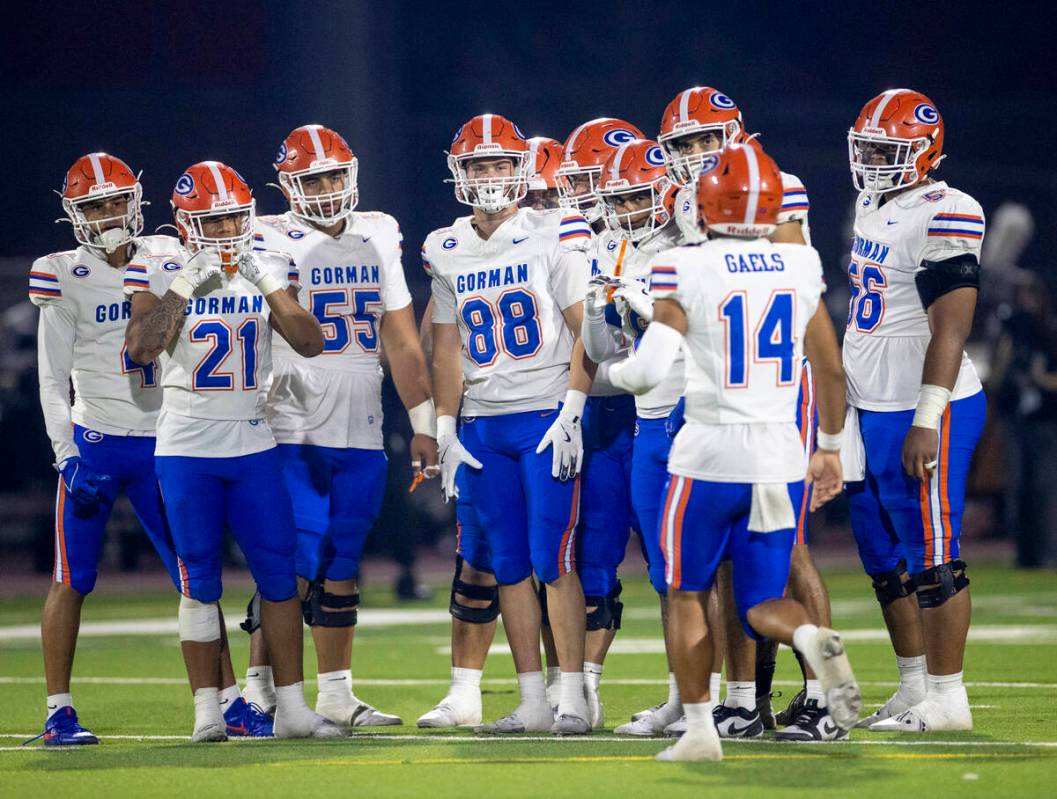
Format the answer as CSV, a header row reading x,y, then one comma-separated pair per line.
x,y
163,85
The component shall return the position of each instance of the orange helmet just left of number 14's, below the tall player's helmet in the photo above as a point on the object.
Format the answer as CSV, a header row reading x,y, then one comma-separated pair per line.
x,y
637,170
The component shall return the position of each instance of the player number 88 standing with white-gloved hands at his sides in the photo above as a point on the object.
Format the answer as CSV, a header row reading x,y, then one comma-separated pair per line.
x,y
508,306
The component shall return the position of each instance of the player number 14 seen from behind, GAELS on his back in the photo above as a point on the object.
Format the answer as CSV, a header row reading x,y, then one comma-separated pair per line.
x,y
743,308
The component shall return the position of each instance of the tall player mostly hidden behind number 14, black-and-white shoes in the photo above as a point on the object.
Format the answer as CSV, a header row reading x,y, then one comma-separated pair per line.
x,y
697,124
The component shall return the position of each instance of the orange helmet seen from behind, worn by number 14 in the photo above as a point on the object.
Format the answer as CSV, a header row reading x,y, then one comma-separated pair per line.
x,y
739,193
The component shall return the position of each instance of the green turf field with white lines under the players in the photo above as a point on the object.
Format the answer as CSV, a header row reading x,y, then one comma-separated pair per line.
x,y
129,690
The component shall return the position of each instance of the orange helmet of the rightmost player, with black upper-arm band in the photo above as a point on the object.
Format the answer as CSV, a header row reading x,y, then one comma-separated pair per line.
x,y
897,141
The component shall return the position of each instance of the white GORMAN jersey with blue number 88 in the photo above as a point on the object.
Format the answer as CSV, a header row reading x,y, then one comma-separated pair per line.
x,y
508,295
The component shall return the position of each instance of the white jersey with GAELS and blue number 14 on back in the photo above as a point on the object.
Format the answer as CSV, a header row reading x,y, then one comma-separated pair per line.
x,y
748,306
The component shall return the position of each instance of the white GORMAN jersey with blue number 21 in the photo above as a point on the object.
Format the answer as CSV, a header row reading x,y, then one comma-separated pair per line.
x,y
217,371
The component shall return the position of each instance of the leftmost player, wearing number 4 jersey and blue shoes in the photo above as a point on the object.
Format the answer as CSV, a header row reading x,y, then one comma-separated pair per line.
x,y
104,444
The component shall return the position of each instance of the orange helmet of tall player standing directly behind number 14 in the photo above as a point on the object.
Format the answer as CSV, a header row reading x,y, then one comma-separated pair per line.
x,y
692,115
